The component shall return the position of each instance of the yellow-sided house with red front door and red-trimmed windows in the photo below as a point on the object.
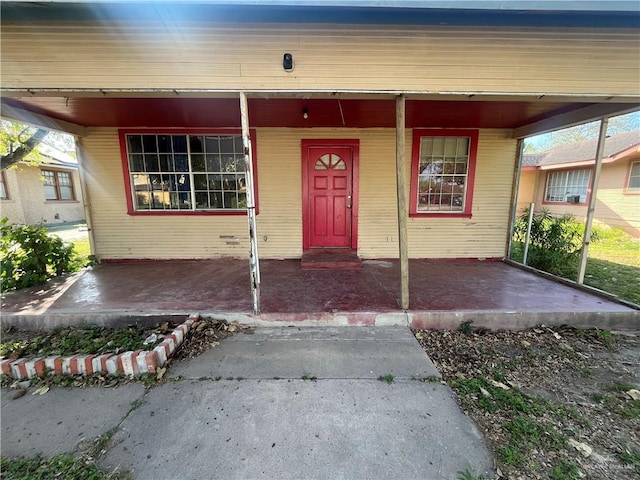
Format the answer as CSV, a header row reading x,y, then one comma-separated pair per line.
x,y
152,93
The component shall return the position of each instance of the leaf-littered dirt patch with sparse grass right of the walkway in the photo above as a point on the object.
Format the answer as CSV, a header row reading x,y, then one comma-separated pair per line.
x,y
553,403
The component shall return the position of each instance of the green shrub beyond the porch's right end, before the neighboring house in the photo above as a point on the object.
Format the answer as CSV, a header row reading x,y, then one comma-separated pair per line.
x,y
554,243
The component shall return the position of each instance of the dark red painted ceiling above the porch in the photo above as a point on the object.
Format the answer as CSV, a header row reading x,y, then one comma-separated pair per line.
x,y
278,111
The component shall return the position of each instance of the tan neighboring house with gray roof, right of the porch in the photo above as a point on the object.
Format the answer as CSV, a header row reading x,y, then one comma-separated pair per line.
x,y
559,180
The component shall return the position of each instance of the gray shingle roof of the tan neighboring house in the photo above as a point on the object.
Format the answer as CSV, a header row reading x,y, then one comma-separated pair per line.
x,y
582,151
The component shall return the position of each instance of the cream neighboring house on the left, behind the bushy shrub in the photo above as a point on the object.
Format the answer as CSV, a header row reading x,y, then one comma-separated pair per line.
x,y
46,192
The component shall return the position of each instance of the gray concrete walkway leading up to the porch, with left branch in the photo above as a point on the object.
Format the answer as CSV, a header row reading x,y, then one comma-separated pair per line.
x,y
286,403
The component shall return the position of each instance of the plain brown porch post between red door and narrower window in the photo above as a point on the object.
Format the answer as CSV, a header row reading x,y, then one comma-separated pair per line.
x,y
402,202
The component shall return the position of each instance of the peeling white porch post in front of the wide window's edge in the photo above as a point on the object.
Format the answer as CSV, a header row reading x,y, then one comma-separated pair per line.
x,y
254,260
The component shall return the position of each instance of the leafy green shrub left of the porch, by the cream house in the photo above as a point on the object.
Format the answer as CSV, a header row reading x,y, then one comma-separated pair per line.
x,y
29,256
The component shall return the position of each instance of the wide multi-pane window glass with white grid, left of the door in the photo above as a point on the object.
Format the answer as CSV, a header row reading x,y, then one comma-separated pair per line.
x,y
186,172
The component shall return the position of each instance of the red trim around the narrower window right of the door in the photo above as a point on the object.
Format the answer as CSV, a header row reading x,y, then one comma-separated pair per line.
x,y
471,171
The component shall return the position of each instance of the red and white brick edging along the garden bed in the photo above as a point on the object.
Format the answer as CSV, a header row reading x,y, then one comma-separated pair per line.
x,y
127,363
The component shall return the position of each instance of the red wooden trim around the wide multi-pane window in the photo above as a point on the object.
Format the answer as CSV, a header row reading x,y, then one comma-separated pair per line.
x,y
183,131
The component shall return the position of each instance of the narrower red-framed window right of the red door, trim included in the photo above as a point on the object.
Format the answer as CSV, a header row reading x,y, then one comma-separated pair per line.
x,y
443,168
